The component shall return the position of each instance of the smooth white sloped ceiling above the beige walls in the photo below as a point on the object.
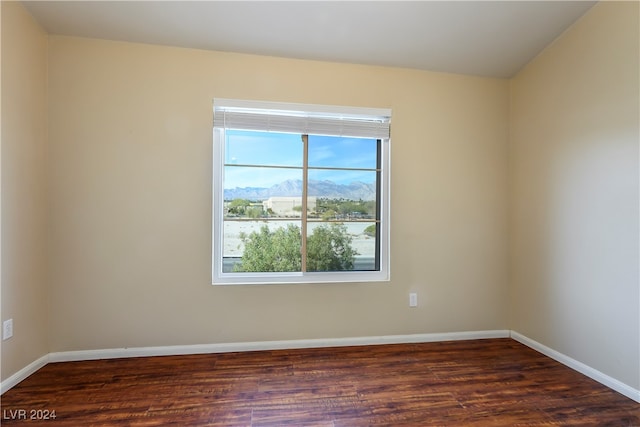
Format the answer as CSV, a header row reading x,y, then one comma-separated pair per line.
x,y
484,38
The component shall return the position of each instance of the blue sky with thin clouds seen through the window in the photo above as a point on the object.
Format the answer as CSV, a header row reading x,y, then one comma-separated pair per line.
x,y
280,149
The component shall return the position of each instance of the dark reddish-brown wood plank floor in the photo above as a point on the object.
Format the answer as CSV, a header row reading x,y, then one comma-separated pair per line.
x,y
496,382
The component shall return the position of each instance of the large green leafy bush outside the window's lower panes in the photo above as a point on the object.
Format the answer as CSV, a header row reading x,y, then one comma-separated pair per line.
x,y
328,249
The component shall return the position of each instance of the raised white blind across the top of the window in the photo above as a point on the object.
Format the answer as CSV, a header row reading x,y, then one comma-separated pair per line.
x,y
302,118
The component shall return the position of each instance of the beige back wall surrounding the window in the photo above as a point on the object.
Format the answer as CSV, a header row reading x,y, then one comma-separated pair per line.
x,y
131,133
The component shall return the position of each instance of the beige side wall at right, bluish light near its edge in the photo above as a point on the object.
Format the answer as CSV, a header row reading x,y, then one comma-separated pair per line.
x,y
574,194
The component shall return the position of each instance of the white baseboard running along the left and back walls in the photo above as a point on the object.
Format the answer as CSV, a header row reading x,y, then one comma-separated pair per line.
x,y
115,353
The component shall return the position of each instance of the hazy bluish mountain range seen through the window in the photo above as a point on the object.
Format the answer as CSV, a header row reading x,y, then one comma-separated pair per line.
x,y
291,188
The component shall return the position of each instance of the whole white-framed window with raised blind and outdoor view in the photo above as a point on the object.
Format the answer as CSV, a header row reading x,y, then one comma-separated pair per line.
x,y
300,193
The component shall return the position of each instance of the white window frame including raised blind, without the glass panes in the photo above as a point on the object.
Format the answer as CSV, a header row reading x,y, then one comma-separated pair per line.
x,y
304,119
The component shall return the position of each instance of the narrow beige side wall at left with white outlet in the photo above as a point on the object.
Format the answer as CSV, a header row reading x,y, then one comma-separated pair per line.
x,y
24,202
